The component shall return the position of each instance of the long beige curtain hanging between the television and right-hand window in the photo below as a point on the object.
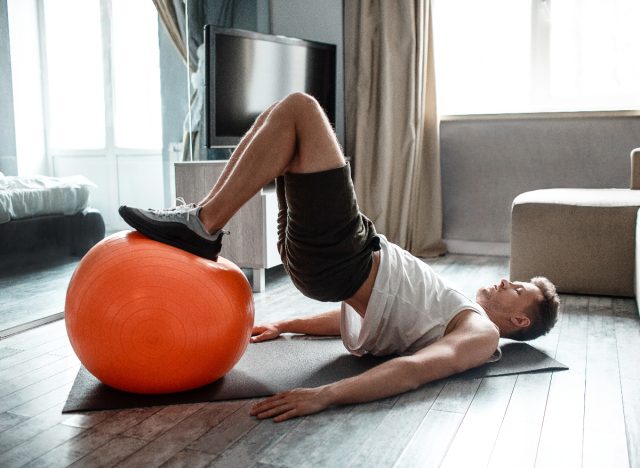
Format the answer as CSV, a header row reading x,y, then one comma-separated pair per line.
x,y
392,128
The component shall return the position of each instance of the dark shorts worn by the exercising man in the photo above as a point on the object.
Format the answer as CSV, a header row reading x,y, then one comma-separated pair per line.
x,y
324,241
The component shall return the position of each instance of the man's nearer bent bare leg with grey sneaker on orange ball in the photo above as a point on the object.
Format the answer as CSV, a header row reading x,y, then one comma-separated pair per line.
x,y
294,136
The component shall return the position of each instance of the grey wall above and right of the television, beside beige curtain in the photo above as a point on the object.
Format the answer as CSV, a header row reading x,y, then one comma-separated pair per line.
x,y
316,20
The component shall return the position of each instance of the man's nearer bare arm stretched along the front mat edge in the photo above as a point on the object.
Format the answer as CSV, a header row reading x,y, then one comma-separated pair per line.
x,y
469,345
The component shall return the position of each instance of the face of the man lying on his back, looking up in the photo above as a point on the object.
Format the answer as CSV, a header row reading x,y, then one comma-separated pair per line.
x,y
510,297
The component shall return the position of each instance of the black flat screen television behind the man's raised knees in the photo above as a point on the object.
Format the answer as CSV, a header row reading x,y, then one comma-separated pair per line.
x,y
245,72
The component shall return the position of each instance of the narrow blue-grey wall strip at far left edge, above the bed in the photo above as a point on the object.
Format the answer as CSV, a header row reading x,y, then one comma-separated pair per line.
x,y
8,163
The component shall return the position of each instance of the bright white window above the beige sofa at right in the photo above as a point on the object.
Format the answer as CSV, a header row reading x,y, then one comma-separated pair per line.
x,y
502,56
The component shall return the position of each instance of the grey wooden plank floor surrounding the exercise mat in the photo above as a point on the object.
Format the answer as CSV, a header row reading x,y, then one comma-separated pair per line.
x,y
587,416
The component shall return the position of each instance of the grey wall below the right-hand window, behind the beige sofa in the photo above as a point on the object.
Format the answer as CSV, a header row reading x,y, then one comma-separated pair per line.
x,y
486,162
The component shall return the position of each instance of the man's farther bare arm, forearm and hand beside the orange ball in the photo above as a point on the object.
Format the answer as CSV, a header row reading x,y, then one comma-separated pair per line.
x,y
326,324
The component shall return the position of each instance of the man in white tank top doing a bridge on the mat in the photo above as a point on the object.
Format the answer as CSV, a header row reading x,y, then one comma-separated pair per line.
x,y
392,302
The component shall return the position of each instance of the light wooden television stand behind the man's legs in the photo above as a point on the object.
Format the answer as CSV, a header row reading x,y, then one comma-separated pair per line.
x,y
252,243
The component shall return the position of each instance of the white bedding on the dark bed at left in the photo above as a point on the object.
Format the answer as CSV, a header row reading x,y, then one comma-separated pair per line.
x,y
24,197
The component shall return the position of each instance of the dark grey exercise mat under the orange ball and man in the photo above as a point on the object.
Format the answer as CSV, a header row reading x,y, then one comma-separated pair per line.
x,y
291,361
